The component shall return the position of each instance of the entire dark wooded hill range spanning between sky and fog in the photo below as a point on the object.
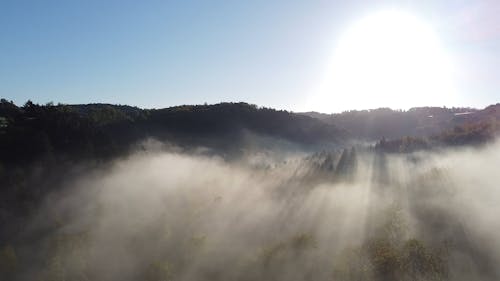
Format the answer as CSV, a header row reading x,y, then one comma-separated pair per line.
x,y
101,131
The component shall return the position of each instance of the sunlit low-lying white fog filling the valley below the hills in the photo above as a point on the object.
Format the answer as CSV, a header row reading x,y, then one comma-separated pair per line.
x,y
163,215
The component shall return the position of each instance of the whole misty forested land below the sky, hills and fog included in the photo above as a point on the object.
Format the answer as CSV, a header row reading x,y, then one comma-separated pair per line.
x,y
234,191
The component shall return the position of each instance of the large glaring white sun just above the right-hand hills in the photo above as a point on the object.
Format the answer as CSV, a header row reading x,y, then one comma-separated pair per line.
x,y
388,59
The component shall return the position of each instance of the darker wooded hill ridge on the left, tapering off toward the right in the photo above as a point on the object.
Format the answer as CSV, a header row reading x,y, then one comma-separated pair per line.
x,y
103,130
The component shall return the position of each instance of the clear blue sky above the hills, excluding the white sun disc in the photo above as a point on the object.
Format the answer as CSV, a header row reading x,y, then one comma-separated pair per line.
x,y
156,54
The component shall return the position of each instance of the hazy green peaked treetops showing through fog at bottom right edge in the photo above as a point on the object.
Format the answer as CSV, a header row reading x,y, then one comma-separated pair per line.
x,y
388,255
